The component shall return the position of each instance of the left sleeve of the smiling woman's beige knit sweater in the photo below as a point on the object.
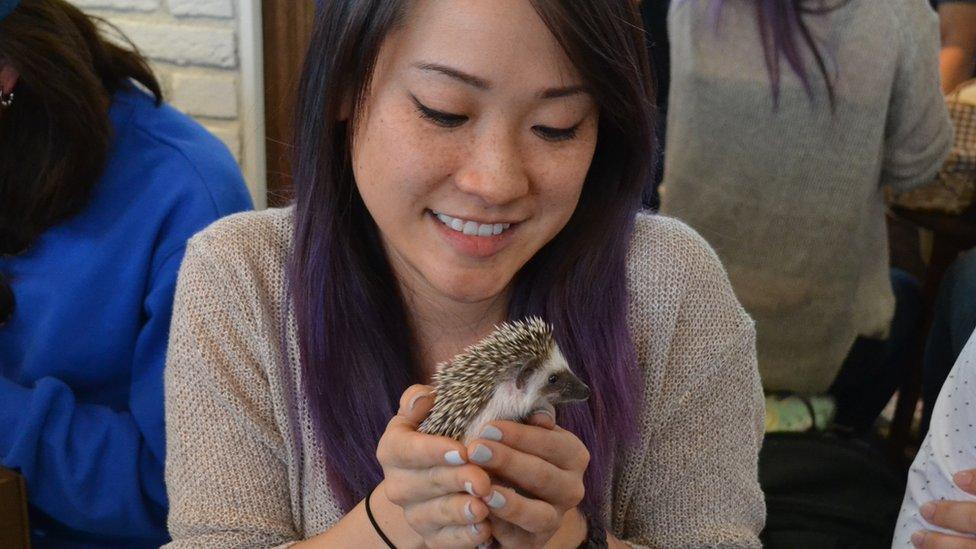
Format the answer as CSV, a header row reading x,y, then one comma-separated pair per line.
x,y
225,467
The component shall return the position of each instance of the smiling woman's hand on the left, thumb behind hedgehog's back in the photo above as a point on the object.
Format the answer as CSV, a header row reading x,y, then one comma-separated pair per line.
x,y
428,476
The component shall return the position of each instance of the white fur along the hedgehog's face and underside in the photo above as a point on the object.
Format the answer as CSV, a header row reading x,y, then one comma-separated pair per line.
x,y
511,403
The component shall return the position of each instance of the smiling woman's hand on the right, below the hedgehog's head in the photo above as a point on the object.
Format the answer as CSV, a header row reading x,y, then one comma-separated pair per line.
x,y
545,463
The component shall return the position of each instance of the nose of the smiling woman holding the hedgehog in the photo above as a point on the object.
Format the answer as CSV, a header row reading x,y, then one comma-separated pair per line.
x,y
495,170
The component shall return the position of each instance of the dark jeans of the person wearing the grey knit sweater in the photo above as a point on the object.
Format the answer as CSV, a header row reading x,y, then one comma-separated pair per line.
x,y
875,368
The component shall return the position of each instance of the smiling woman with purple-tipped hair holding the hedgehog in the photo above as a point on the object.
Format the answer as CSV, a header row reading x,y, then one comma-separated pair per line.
x,y
459,164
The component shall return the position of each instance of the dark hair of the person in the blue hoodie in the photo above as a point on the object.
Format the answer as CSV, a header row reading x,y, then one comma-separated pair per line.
x,y
55,137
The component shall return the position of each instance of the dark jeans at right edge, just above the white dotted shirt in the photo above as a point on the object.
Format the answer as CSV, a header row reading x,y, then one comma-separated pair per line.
x,y
954,320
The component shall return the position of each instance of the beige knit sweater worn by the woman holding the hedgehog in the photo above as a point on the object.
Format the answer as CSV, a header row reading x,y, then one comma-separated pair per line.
x,y
243,468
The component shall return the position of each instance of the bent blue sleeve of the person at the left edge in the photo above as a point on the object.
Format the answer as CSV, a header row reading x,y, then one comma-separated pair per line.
x,y
101,469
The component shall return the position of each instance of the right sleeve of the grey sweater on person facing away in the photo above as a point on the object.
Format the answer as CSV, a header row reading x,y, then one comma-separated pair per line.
x,y
918,133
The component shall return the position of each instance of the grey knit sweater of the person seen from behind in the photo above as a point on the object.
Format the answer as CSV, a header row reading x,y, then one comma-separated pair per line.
x,y
791,197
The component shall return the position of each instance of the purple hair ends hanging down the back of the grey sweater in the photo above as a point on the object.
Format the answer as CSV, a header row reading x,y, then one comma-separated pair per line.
x,y
781,29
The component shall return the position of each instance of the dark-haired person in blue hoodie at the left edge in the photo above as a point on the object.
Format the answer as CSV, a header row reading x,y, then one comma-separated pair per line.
x,y
101,185
